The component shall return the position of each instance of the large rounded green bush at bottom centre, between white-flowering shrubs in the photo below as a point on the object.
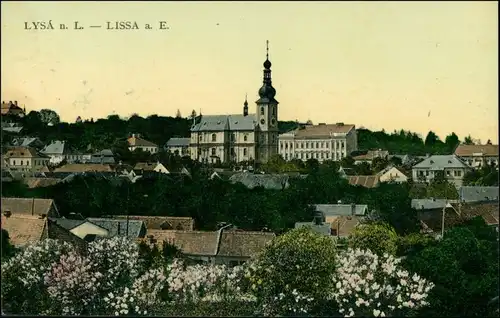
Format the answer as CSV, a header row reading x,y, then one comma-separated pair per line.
x,y
293,272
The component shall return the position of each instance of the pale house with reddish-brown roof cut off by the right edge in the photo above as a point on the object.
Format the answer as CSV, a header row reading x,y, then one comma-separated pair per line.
x,y
478,155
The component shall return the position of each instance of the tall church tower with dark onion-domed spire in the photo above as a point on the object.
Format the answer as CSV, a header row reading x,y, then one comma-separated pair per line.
x,y
267,116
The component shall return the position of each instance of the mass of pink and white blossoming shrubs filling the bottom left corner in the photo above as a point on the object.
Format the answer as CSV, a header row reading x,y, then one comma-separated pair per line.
x,y
64,282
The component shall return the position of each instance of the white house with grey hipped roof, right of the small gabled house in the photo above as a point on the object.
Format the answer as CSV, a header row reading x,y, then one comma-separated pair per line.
x,y
452,168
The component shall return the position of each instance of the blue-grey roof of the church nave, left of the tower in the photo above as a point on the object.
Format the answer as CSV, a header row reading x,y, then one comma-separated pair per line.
x,y
235,122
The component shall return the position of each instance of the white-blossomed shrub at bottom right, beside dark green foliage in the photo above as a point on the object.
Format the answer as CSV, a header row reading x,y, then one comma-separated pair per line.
x,y
366,285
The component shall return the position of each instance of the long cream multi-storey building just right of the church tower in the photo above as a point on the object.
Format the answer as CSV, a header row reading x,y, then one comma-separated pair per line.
x,y
321,142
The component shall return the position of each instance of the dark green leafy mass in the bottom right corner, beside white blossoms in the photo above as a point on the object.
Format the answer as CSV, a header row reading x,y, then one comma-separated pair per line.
x,y
464,267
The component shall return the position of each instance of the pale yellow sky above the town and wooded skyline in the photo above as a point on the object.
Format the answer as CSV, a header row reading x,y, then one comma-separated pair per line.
x,y
417,66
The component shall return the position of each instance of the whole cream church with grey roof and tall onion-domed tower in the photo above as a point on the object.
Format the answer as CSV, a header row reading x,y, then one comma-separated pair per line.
x,y
239,137
